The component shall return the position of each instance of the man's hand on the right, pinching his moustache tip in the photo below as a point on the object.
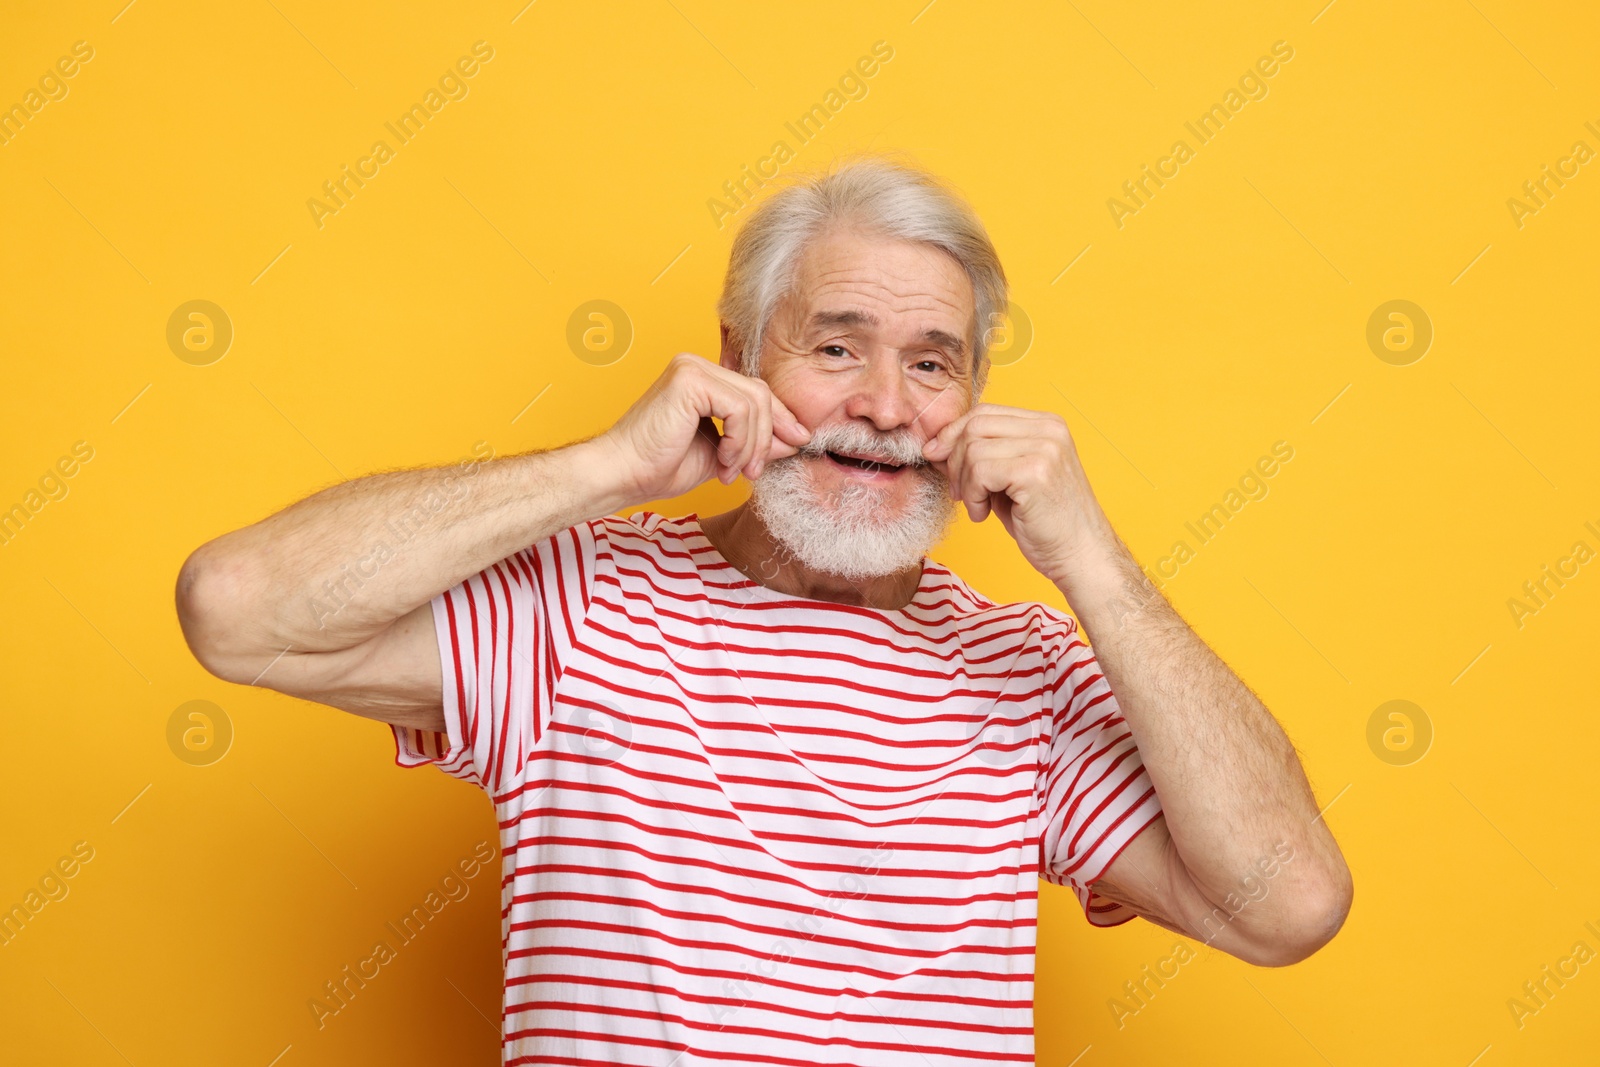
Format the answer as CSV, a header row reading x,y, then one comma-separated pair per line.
x,y
1025,468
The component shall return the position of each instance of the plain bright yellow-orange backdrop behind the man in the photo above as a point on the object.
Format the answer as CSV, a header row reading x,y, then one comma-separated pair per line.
x,y
431,313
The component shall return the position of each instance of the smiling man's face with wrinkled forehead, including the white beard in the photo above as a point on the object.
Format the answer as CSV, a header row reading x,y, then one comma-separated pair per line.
x,y
871,353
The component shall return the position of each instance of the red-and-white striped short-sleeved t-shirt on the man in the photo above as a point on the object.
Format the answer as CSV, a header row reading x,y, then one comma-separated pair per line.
x,y
748,828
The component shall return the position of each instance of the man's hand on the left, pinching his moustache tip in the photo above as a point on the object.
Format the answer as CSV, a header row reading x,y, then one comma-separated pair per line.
x,y
666,444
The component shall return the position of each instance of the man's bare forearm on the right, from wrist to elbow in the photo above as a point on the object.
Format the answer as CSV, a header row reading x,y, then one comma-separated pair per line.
x,y
1228,777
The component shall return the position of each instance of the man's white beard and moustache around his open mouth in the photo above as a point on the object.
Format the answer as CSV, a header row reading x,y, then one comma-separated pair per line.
x,y
847,532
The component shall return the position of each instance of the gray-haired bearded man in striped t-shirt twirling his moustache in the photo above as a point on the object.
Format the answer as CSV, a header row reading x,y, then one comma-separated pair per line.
x,y
775,786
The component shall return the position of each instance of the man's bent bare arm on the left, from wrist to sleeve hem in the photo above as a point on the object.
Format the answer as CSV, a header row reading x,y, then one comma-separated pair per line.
x,y
329,599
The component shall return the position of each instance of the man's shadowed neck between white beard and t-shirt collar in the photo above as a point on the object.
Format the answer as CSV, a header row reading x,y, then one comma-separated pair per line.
x,y
745,541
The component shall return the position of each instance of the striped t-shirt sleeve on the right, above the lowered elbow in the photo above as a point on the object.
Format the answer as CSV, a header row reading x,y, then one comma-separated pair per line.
x,y
1095,794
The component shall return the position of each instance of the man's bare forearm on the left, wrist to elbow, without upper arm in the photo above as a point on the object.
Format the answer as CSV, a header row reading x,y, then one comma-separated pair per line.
x,y
332,570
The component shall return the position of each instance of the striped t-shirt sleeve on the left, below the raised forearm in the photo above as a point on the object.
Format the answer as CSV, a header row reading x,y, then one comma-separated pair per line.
x,y
503,641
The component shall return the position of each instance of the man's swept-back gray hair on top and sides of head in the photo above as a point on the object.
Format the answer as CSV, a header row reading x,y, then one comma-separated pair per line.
x,y
874,194
